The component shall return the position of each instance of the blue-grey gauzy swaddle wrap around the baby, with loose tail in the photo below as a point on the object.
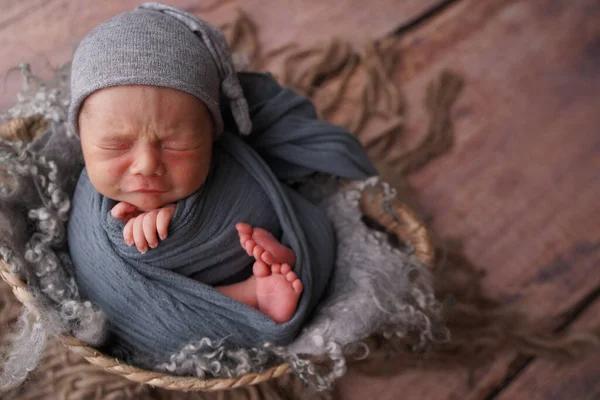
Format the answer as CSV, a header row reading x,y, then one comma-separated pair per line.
x,y
152,303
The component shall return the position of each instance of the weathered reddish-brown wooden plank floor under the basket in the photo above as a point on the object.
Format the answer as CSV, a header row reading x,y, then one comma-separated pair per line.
x,y
521,186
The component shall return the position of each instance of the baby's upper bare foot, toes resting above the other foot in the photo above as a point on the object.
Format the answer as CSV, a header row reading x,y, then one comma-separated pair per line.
x,y
262,245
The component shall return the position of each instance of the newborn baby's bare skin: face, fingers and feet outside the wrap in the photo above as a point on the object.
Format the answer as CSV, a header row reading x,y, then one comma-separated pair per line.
x,y
148,147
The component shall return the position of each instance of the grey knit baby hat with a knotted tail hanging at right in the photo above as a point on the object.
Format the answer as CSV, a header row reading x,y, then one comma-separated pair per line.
x,y
159,45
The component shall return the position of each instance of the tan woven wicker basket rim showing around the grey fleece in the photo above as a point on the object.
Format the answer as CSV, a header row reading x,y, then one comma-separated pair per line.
x,y
392,216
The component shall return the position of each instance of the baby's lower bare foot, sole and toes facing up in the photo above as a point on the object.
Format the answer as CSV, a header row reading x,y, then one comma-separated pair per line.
x,y
277,290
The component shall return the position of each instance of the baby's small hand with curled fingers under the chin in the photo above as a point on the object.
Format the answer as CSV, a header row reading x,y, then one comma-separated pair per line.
x,y
142,227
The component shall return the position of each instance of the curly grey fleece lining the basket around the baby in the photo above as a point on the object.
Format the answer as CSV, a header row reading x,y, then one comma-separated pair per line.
x,y
370,291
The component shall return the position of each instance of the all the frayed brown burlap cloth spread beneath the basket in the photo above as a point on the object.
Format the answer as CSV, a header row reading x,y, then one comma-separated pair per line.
x,y
342,80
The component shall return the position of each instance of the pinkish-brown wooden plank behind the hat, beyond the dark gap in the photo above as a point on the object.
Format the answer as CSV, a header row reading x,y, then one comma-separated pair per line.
x,y
44,32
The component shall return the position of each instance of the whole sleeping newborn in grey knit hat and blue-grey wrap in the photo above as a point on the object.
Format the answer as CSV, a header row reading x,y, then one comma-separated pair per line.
x,y
182,223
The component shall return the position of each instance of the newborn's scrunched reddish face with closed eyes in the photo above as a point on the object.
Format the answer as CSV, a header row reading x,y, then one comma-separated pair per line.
x,y
145,145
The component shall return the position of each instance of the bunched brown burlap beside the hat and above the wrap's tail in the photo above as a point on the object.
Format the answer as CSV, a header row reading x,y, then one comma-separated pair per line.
x,y
346,80
